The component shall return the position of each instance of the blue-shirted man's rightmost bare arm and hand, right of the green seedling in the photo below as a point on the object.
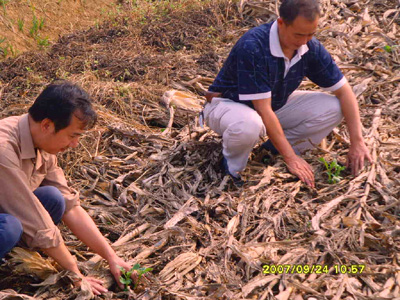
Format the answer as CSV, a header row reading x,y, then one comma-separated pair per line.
x,y
358,151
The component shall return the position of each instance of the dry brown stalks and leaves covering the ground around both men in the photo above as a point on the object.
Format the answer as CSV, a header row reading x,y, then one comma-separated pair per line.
x,y
158,194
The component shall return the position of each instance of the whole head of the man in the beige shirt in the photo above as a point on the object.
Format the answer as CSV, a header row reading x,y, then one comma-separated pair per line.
x,y
60,115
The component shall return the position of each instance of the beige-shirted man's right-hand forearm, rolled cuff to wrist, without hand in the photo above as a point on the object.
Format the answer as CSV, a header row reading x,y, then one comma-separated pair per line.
x,y
82,225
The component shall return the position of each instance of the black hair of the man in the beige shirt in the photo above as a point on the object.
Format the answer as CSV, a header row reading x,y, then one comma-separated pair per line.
x,y
59,101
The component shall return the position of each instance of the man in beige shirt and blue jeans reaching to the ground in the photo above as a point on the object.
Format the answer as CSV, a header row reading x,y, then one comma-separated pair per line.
x,y
34,195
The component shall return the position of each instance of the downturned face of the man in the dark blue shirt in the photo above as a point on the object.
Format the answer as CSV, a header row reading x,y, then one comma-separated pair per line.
x,y
293,36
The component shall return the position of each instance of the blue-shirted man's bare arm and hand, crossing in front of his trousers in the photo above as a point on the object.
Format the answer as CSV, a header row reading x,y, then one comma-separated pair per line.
x,y
296,164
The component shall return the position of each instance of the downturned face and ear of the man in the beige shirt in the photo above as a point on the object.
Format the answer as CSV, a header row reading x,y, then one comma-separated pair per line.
x,y
60,141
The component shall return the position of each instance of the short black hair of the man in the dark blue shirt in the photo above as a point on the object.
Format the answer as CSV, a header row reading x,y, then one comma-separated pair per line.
x,y
291,9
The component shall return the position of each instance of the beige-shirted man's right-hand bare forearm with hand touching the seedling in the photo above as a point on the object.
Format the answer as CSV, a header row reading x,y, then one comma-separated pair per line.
x,y
82,225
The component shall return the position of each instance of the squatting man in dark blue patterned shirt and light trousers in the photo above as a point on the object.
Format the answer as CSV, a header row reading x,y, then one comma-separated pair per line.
x,y
254,94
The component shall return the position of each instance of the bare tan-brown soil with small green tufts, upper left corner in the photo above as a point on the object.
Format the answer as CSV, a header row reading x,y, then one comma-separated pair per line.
x,y
17,19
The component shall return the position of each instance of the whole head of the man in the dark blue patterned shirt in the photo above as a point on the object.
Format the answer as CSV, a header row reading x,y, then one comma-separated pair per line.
x,y
298,22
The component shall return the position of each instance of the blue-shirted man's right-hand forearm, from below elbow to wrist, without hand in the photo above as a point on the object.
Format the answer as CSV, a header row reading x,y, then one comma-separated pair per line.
x,y
349,106
